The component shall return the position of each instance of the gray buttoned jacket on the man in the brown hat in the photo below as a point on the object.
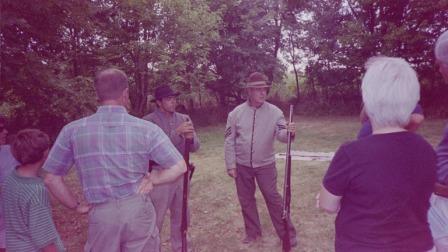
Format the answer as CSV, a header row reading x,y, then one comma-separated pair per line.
x,y
250,134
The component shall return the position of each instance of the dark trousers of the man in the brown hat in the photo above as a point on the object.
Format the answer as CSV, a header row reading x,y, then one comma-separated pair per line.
x,y
266,177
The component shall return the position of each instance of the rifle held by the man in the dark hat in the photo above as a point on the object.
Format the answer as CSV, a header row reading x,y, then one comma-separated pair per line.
x,y
187,177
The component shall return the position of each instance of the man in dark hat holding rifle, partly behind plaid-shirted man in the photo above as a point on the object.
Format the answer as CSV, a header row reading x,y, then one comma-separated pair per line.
x,y
178,127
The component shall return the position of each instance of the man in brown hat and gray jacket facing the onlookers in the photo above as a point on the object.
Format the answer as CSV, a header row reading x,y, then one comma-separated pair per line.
x,y
249,154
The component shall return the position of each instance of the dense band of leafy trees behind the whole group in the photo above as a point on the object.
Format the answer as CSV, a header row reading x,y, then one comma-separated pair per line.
x,y
312,51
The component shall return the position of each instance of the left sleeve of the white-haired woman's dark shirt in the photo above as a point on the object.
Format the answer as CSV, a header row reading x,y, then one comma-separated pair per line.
x,y
337,177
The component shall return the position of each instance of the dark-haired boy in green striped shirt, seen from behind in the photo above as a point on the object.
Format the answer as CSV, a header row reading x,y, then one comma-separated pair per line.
x,y
26,203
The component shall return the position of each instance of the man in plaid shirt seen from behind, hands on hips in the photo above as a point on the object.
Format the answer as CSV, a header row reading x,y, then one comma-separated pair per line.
x,y
111,150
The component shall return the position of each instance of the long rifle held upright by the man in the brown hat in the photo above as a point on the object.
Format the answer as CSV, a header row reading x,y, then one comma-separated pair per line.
x,y
286,246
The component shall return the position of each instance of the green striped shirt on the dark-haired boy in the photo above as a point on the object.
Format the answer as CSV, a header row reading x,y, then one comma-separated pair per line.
x,y
28,220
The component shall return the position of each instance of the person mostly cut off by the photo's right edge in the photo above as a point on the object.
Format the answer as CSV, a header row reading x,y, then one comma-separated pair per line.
x,y
438,213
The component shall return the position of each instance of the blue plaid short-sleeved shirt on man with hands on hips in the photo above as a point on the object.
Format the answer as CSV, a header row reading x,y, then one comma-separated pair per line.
x,y
111,150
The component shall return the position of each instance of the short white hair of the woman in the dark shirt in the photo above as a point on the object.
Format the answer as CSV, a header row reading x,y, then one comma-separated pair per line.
x,y
390,91
